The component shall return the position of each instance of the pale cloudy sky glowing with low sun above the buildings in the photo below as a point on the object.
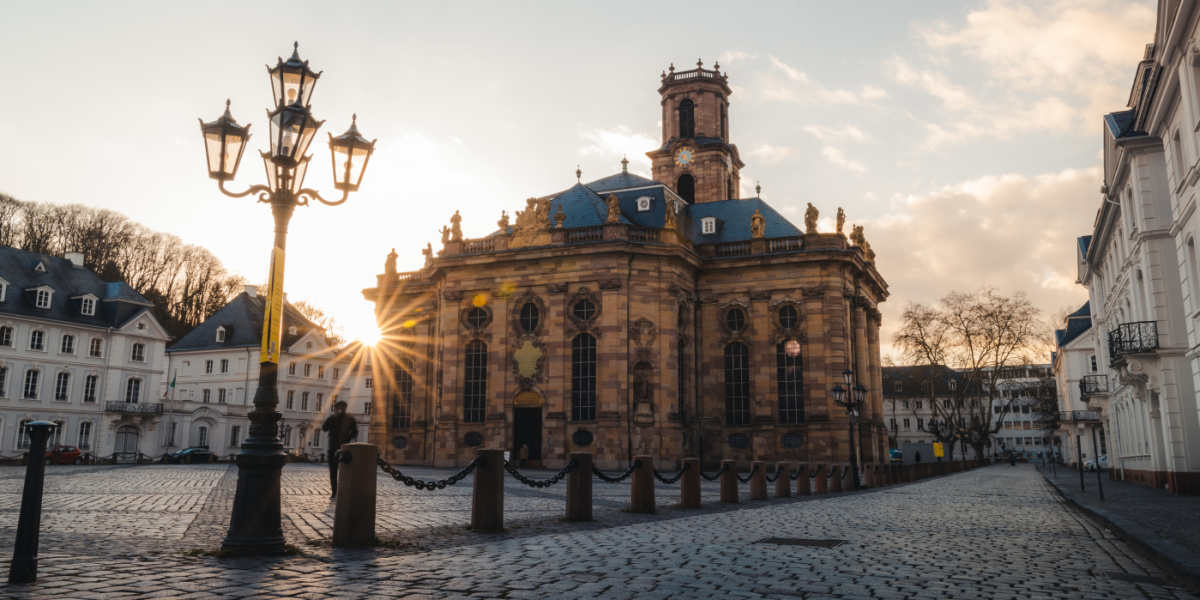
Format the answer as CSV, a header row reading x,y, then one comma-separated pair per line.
x,y
964,136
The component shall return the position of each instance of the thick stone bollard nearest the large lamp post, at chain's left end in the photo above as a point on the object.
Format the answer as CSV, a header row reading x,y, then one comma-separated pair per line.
x,y
356,509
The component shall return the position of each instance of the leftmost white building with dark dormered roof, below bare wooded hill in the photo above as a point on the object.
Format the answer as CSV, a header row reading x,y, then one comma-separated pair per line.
x,y
80,352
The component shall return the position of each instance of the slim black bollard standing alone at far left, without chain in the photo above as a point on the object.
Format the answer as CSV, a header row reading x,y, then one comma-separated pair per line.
x,y
23,568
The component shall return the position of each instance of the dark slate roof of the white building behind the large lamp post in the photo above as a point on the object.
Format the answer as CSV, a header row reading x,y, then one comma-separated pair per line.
x,y
243,321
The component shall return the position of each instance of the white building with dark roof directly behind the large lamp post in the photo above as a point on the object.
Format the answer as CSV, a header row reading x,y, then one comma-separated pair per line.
x,y
215,370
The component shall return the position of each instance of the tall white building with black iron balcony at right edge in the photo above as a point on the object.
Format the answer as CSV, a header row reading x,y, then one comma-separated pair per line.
x,y
1141,266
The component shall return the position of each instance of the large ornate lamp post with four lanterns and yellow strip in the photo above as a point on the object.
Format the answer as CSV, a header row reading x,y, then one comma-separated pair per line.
x,y
255,527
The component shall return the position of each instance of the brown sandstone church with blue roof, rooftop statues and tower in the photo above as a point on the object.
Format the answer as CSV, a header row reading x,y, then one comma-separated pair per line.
x,y
632,316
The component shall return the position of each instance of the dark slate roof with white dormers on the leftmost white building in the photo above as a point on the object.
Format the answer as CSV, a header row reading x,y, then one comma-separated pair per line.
x,y
117,303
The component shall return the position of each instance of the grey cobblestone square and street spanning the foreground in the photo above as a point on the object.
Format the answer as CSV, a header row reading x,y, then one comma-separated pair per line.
x,y
993,533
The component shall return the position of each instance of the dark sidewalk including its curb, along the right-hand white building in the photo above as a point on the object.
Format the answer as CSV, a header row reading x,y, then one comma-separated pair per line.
x,y
1163,526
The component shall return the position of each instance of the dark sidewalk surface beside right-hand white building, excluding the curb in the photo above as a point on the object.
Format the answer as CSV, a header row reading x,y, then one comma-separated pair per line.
x,y
1172,517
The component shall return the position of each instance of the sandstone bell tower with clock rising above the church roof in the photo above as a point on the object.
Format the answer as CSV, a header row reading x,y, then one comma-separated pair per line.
x,y
697,158
